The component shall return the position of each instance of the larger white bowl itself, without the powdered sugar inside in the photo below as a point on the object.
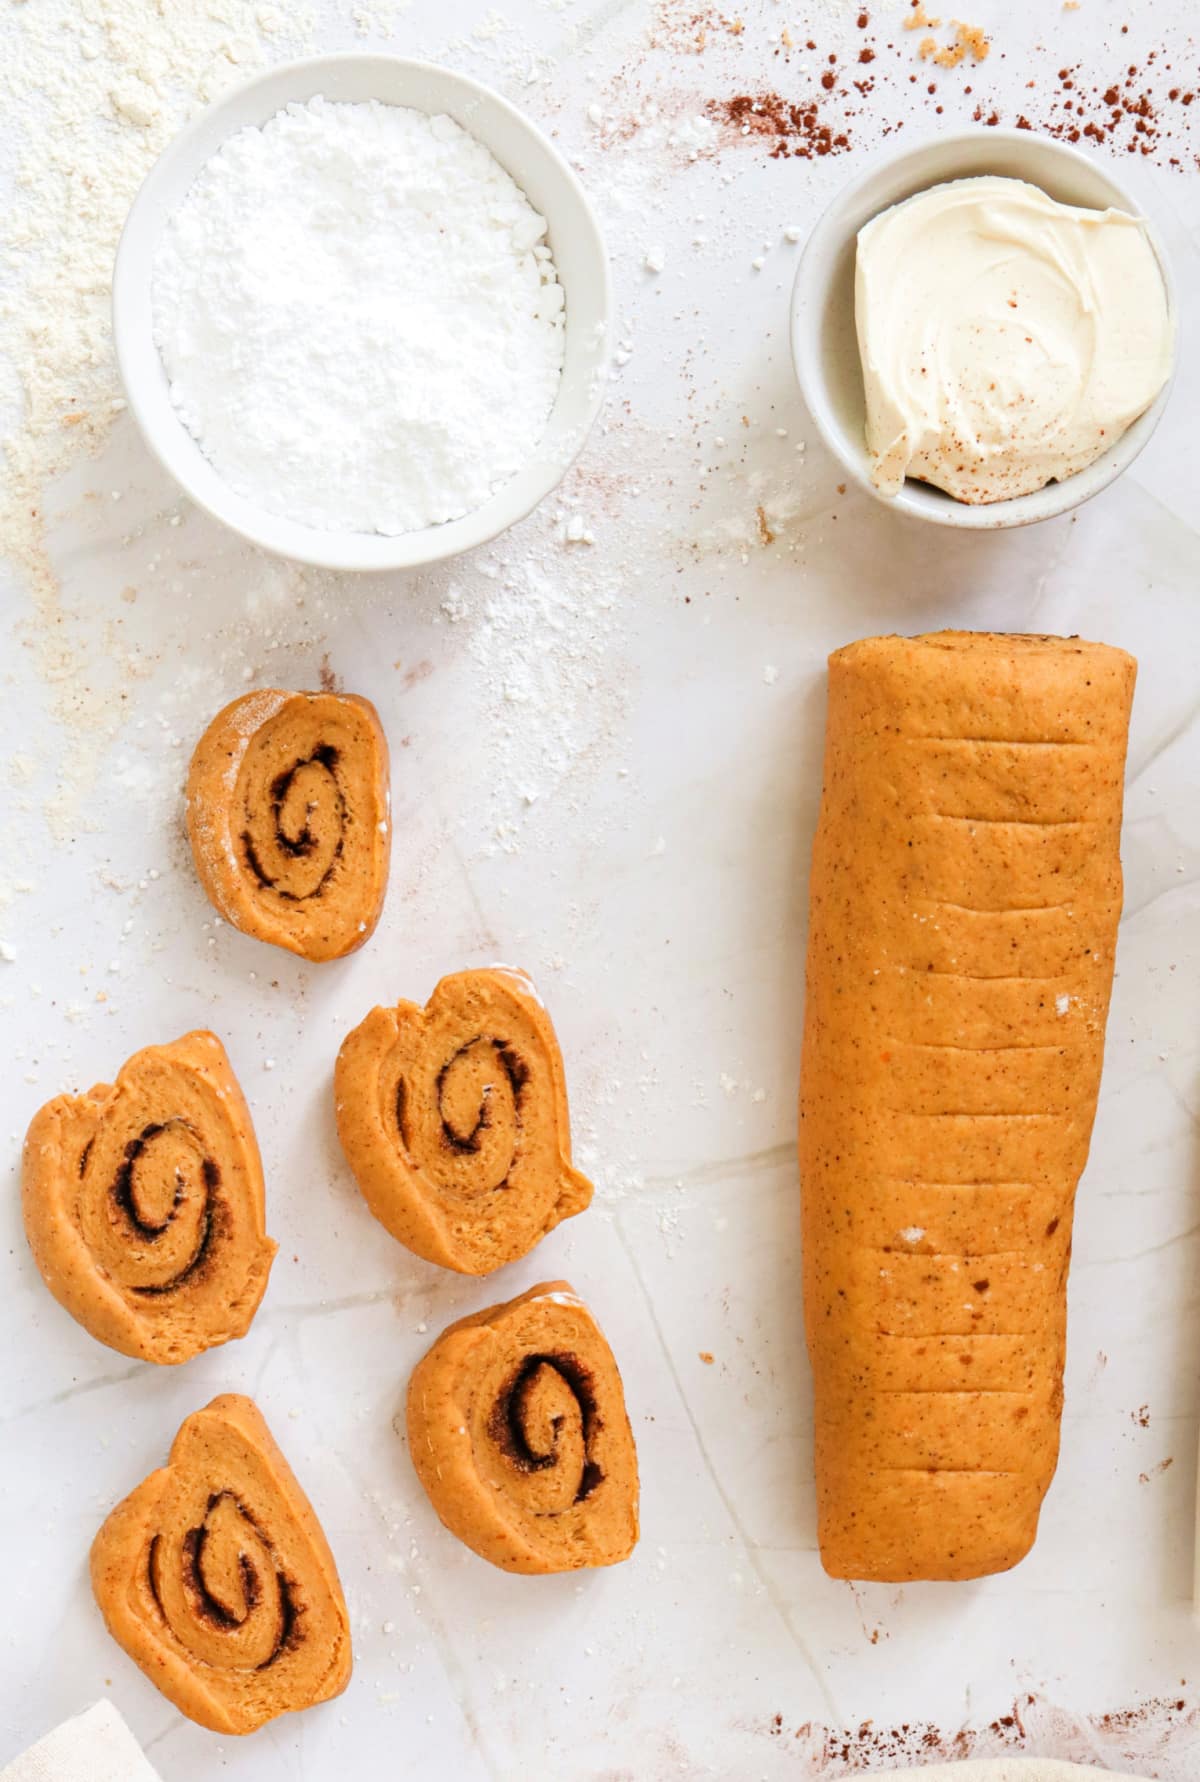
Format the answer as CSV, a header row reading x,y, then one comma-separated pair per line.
x,y
575,241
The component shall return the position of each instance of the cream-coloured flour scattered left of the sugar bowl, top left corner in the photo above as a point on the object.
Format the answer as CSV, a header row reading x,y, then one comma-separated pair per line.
x,y
92,94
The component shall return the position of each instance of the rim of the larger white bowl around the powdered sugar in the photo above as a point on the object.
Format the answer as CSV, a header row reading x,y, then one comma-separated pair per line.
x,y
277,534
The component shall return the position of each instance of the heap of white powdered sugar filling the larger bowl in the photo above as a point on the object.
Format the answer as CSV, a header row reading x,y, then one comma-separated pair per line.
x,y
361,318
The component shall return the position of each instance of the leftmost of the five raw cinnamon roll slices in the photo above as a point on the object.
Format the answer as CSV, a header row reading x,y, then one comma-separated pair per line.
x,y
144,1204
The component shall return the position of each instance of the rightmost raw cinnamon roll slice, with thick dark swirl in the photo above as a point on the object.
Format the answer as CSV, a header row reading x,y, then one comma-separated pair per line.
x,y
520,1435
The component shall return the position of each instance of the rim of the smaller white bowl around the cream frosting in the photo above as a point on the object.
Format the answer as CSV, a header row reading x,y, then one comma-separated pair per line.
x,y
923,502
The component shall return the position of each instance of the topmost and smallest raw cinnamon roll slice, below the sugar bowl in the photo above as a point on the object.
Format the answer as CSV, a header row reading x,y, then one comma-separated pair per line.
x,y
290,819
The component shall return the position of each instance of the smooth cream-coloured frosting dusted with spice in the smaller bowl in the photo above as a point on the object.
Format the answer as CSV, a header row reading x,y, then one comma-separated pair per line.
x,y
1007,339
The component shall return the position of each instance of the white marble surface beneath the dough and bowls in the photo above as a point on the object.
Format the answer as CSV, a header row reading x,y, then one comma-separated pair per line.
x,y
607,764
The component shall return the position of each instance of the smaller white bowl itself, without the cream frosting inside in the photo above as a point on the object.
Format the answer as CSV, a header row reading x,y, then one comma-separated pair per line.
x,y
825,345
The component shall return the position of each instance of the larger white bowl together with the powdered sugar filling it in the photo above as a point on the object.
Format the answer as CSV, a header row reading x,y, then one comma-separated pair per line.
x,y
361,313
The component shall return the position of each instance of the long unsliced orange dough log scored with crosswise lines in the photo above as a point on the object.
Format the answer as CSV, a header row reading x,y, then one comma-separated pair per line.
x,y
964,908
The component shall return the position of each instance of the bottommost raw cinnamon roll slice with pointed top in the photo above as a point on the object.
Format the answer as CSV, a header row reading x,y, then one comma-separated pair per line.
x,y
217,1580
